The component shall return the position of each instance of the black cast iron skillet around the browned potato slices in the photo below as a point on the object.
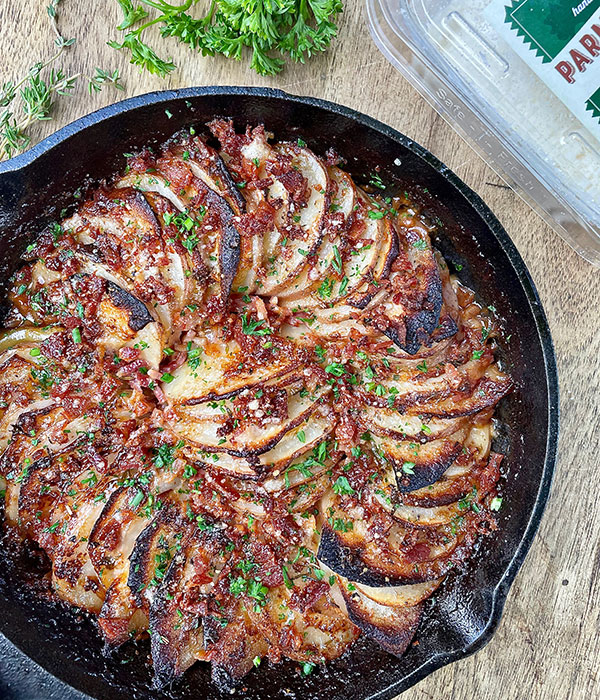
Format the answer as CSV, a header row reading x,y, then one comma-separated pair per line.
x,y
35,187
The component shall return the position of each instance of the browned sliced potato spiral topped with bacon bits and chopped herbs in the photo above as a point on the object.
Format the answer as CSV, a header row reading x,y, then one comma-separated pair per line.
x,y
245,409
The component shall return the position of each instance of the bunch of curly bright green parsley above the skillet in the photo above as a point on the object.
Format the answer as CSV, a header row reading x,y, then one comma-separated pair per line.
x,y
270,29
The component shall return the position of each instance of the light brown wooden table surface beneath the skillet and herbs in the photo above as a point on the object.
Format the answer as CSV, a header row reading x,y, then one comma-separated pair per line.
x,y
548,643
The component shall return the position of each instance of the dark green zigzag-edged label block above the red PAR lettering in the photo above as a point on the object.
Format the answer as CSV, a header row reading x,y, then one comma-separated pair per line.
x,y
548,25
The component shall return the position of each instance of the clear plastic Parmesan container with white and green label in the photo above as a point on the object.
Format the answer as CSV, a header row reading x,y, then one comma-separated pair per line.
x,y
486,76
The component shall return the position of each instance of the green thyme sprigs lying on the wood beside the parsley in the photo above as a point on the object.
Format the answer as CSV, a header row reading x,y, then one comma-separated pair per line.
x,y
31,99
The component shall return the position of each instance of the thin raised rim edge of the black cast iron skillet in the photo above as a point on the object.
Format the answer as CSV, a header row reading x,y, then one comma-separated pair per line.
x,y
499,594
